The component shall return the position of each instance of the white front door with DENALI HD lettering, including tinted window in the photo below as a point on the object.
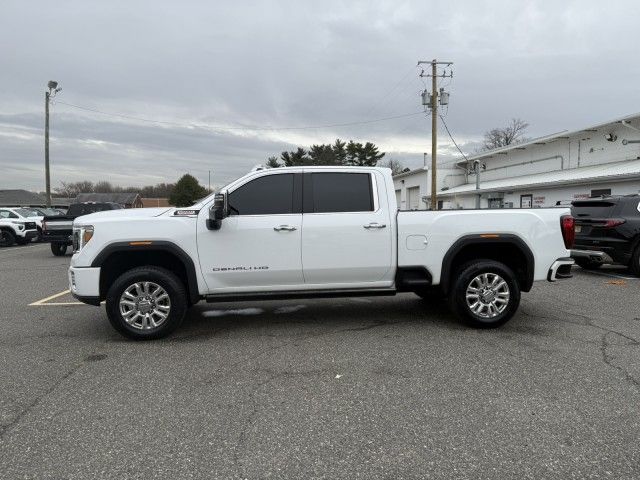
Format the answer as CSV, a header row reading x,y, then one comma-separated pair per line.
x,y
258,245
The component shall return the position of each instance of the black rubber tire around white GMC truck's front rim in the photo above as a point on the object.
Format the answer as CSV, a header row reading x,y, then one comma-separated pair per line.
x,y
161,277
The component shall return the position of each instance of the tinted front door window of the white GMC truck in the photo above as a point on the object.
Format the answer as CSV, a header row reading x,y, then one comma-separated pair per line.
x,y
268,195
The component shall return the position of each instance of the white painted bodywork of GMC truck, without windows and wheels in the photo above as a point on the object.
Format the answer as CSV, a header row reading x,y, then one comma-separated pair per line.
x,y
321,251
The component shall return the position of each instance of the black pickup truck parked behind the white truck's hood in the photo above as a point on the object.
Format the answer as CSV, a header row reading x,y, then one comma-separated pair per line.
x,y
58,229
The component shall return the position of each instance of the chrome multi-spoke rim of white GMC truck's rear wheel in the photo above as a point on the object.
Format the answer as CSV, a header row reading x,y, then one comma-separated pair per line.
x,y
488,295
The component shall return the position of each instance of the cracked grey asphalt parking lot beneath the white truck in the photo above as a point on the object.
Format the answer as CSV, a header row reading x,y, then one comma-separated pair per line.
x,y
348,388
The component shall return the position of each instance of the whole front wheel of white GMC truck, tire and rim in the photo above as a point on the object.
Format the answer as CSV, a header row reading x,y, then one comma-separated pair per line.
x,y
146,303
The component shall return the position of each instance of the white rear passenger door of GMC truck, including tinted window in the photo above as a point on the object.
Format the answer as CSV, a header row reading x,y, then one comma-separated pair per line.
x,y
346,232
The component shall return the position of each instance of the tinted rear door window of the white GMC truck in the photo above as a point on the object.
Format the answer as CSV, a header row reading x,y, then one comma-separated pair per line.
x,y
338,192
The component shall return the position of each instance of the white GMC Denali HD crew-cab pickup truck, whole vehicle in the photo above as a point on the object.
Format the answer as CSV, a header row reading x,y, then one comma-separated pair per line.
x,y
311,232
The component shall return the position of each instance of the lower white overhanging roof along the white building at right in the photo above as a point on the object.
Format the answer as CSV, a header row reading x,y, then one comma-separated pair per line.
x,y
626,170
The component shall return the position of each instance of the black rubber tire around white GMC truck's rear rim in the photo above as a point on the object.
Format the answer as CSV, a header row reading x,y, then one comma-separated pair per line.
x,y
465,276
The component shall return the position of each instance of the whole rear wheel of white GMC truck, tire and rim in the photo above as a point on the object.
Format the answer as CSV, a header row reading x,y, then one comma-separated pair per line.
x,y
485,294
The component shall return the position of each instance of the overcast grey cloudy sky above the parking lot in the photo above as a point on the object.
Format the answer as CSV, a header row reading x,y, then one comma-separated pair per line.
x,y
219,72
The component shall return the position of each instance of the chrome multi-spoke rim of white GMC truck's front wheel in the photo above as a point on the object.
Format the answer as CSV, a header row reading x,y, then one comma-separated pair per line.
x,y
145,305
